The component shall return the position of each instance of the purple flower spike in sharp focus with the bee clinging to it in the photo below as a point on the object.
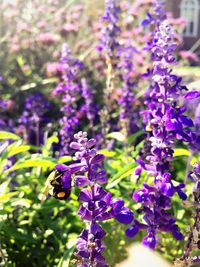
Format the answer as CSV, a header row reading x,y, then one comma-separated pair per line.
x,y
97,205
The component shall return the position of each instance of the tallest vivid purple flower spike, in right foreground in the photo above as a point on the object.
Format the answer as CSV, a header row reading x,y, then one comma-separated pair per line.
x,y
166,123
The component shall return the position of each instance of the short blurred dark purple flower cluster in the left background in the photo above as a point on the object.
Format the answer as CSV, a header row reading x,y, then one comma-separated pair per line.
x,y
33,118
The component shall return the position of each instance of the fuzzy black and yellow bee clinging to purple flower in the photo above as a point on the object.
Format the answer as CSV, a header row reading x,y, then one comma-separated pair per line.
x,y
54,186
